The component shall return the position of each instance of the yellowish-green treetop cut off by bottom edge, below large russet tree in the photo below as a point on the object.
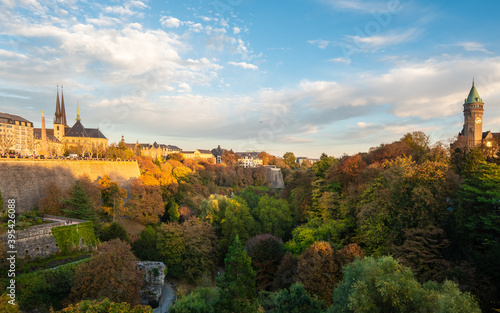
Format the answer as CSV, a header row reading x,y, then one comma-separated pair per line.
x,y
105,305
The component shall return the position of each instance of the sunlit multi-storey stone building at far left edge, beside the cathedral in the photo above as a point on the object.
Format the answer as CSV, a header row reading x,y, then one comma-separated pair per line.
x,y
16,135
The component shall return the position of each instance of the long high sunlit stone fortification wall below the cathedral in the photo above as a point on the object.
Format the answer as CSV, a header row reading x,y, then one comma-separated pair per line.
x,y
25,180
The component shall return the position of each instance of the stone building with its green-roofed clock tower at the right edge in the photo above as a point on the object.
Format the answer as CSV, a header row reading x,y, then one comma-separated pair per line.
x,y
472,134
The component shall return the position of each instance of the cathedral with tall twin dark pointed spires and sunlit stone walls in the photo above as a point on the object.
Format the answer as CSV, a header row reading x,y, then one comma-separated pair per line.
x,y
63,137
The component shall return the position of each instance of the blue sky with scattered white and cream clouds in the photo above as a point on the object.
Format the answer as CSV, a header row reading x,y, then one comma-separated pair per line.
x,y
332,76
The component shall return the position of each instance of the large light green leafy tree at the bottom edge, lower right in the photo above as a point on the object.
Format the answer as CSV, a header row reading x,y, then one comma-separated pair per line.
x,y
384,285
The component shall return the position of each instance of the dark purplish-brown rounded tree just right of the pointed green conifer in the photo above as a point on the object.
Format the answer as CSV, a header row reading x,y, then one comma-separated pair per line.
x,y
266,252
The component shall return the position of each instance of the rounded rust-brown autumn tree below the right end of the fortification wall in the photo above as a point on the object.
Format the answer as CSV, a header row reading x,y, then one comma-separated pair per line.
x,y
146,204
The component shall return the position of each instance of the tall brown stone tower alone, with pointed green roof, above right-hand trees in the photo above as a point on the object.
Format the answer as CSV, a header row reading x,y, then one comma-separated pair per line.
x,y
473,118
